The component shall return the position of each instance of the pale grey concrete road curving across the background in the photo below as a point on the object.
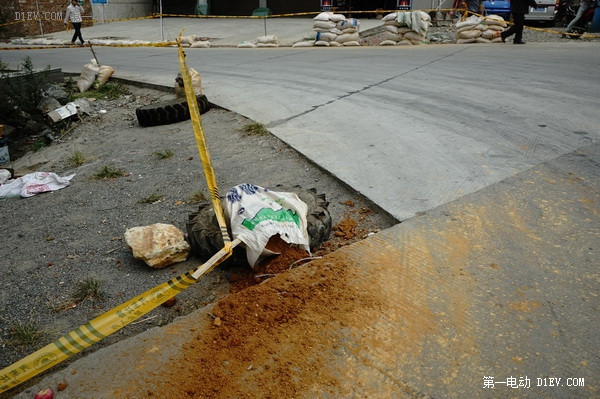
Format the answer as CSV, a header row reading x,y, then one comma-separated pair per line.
x,y
411,128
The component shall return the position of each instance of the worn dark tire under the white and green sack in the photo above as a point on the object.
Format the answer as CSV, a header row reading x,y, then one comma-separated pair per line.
x,y
204,234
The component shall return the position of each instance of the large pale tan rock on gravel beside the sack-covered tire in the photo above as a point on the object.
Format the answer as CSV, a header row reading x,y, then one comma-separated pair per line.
x,y
159,245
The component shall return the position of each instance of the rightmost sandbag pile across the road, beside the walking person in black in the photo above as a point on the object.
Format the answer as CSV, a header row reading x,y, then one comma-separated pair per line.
x,y
475,29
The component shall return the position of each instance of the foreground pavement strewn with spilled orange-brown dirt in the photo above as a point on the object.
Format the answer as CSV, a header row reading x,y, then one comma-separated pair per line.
x,y
487,296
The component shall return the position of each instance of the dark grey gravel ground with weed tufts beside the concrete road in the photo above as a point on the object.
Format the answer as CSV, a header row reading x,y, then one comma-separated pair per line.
x,y
53,241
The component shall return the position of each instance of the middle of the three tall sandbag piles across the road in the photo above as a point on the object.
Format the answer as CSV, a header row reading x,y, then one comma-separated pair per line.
x,y
405,28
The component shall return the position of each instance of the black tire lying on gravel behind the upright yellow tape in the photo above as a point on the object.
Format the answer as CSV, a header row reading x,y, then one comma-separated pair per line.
x,y
167,112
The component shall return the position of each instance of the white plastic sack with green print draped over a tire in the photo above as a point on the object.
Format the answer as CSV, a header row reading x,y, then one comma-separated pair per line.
x,y
257,214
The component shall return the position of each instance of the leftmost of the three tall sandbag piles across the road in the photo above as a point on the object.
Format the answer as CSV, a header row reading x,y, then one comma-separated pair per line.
x,y
336,30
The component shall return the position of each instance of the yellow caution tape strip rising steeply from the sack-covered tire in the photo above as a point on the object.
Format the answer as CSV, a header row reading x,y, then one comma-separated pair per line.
x,y
209,174
